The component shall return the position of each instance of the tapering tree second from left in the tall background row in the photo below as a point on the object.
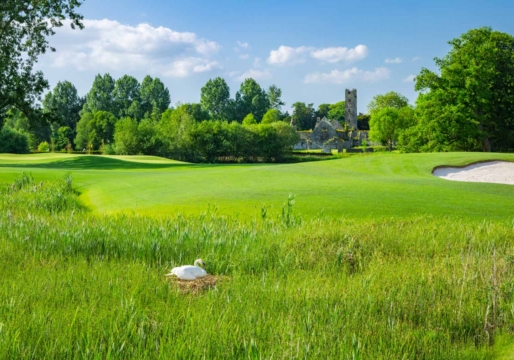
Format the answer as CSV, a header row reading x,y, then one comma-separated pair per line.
x,y
101,95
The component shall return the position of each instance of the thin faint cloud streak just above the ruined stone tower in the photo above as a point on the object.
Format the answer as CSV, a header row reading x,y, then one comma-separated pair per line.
x,y
351,75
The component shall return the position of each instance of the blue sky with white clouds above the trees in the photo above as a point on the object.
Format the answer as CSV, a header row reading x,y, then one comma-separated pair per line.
x,y
312,50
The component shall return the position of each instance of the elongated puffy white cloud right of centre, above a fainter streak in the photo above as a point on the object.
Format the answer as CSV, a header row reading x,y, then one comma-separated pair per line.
x,y
289,55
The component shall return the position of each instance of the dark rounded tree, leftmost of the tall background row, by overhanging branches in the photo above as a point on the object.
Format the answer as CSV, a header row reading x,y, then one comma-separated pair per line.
x,y
64,103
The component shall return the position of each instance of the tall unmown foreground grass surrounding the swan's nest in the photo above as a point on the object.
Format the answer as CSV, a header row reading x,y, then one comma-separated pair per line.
x,y
78,285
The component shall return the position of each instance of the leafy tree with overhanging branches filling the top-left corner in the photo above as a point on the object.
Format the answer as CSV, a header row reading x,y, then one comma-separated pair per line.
x,y
25,26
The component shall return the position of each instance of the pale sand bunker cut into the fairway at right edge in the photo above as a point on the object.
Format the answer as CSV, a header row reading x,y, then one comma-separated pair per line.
x,y
501,172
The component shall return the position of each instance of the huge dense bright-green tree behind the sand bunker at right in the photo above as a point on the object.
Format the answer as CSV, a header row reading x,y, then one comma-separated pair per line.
x,y
469,105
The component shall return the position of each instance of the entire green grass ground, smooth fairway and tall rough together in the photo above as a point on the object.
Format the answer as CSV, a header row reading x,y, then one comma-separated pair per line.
x,y
366,257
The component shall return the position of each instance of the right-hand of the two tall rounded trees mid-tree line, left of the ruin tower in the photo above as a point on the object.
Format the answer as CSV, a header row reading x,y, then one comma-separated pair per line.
x,y
251,99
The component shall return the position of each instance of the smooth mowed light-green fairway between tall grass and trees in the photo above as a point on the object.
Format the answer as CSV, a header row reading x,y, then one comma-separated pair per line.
x,y
375,185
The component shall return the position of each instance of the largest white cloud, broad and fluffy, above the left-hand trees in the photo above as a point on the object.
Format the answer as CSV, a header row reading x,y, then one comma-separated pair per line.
x,y
108,45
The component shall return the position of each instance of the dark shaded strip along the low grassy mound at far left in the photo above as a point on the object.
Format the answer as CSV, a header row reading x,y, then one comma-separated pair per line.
x,y
97,163
